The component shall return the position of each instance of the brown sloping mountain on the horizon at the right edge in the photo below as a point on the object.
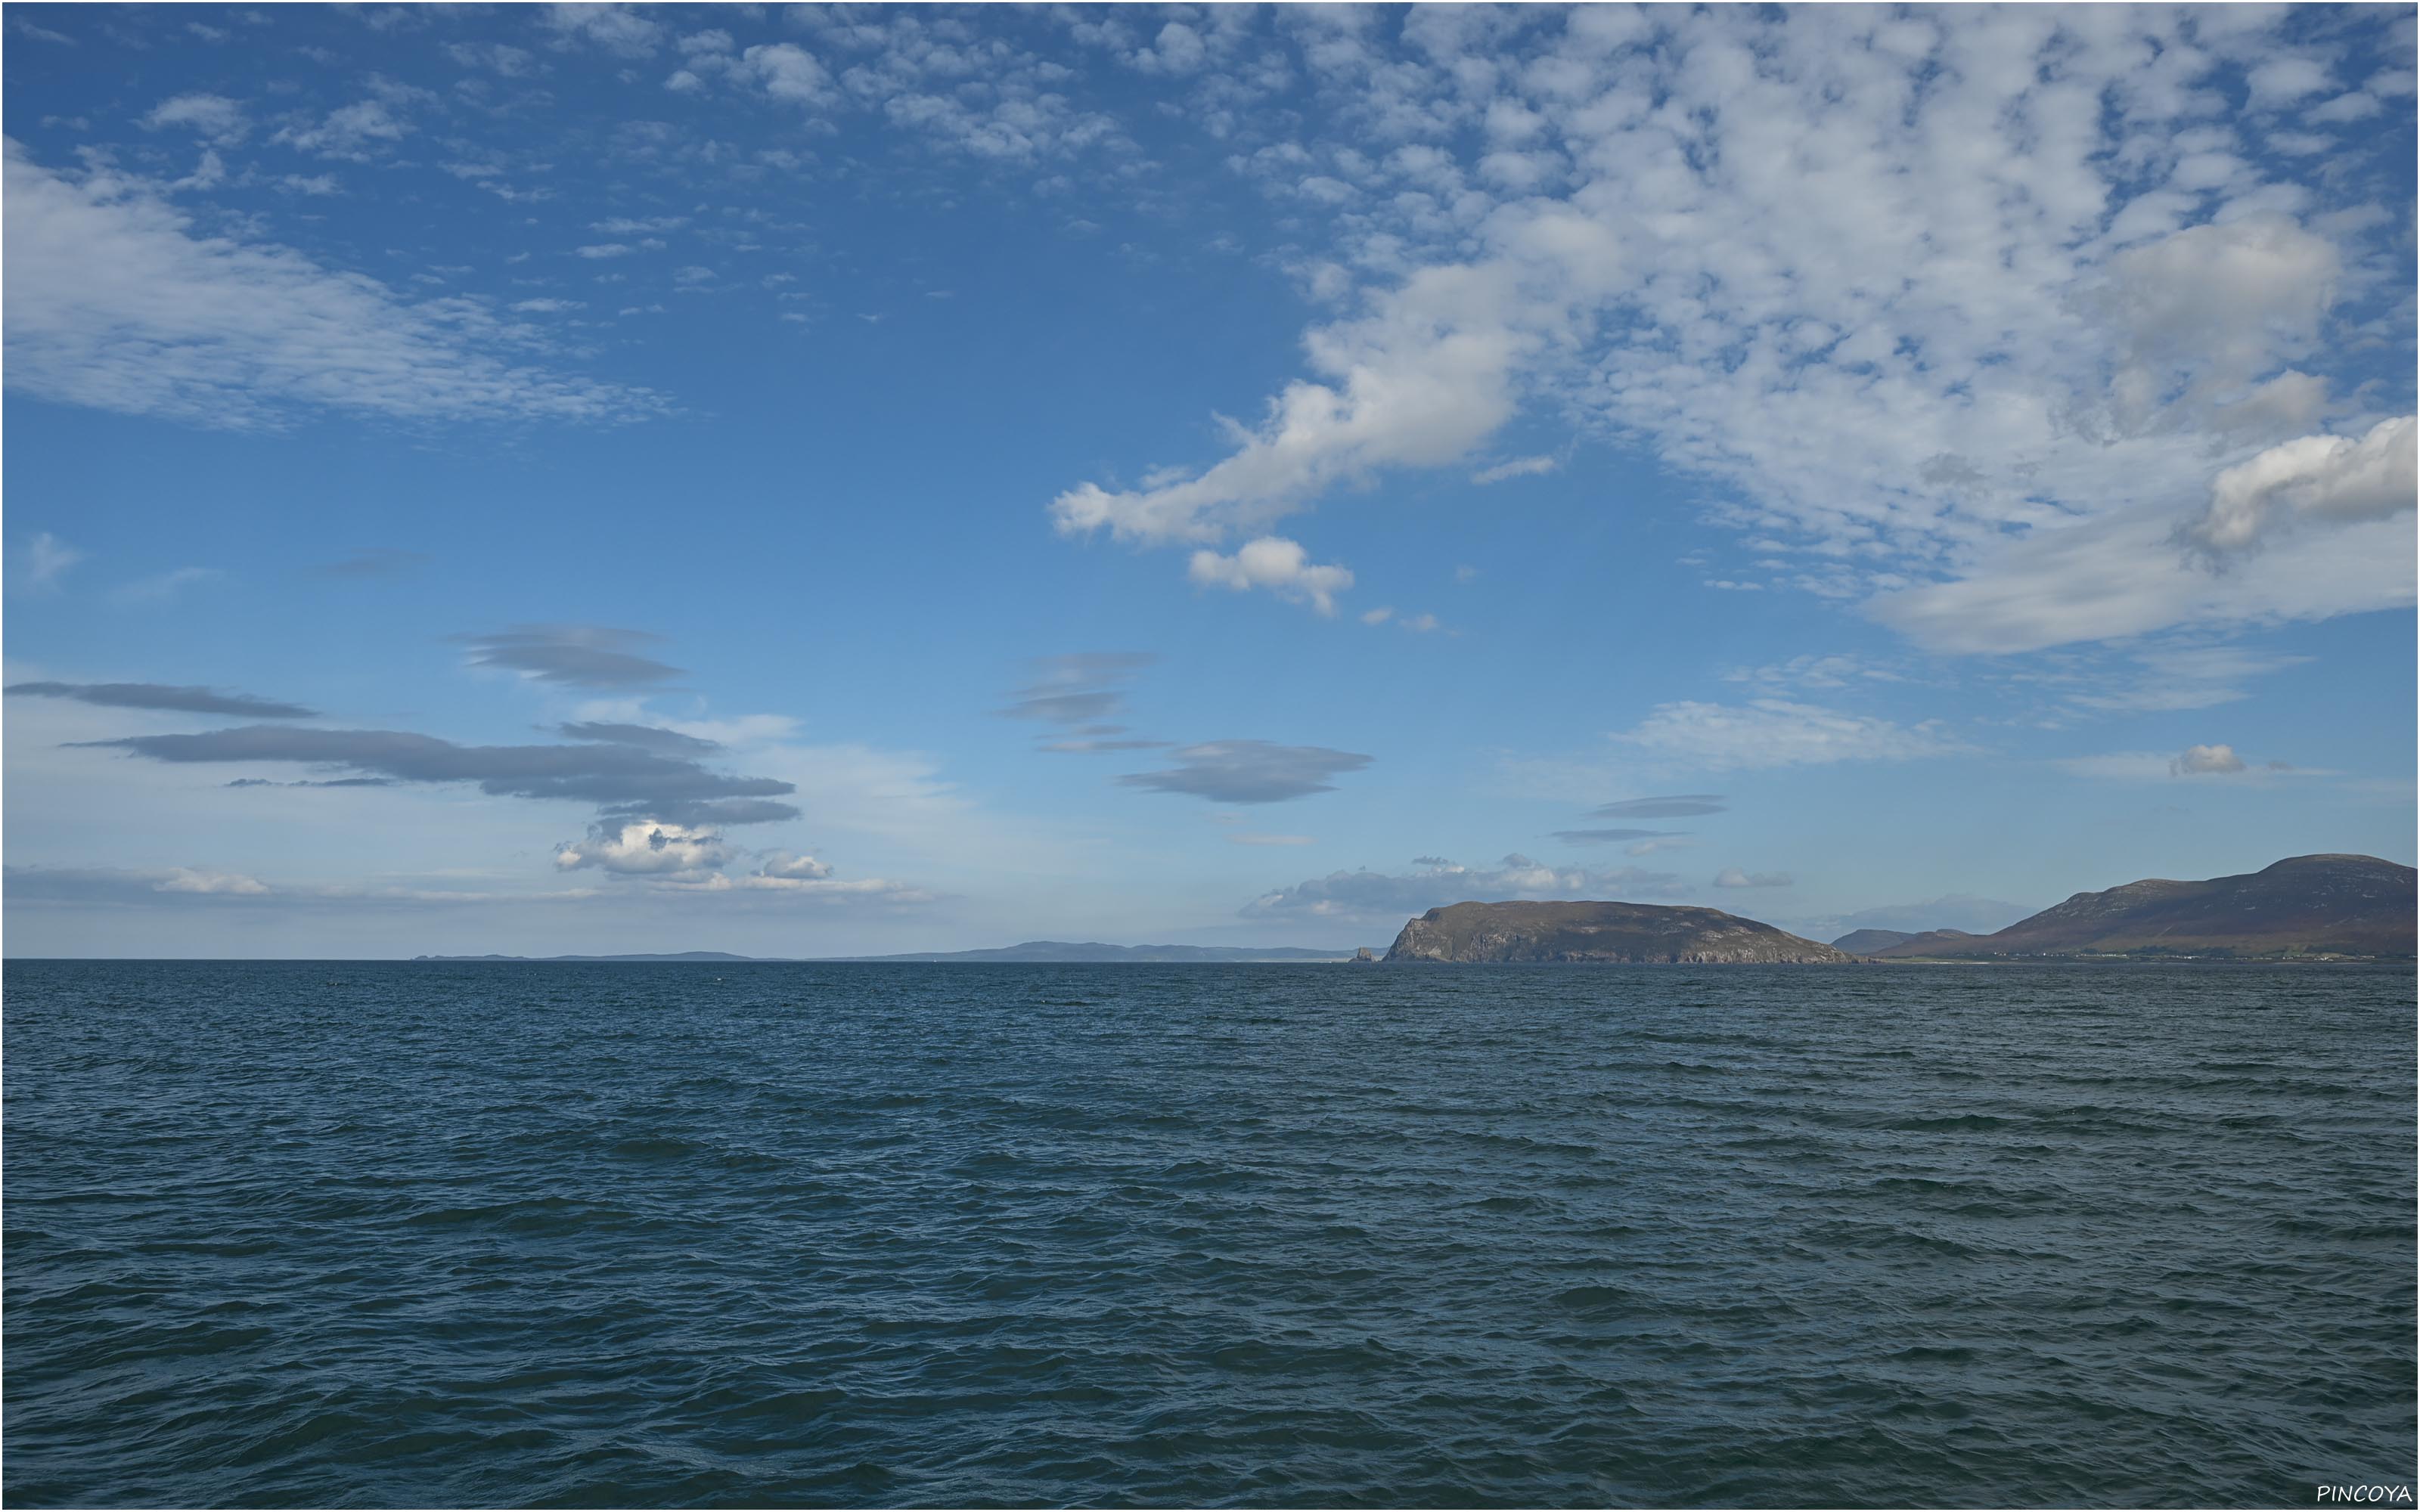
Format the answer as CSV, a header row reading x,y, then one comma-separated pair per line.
x,y
2303,906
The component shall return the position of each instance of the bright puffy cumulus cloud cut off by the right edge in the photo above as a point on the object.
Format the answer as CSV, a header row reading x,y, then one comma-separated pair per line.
x,y
2317,478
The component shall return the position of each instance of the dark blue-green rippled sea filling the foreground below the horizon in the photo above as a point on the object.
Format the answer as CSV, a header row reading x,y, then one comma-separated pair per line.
x,y
473,1235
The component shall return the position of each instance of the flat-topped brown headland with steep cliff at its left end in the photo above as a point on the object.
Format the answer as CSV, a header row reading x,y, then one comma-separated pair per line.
x,y
1598,935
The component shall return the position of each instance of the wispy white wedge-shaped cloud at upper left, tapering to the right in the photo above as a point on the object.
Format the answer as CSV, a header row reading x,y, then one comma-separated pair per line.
x,y
117,301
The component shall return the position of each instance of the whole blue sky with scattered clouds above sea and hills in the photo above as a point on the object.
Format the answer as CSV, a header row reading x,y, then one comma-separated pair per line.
x,y
846,480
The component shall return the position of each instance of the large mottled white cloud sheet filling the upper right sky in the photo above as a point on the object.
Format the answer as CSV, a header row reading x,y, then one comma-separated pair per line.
x,y
1906,296
